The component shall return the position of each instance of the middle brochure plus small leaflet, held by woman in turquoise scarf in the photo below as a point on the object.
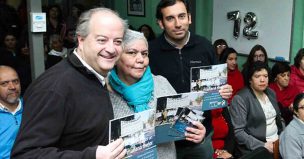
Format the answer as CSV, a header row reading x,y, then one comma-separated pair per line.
x,y
174,113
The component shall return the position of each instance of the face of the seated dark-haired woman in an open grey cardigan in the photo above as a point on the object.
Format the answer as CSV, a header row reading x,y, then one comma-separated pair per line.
x,y
259,80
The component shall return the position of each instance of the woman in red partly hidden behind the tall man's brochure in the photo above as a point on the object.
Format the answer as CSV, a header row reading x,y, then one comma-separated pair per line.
x,y
222,139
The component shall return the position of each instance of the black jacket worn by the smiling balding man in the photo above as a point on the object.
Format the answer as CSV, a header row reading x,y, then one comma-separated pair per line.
x,y
66,114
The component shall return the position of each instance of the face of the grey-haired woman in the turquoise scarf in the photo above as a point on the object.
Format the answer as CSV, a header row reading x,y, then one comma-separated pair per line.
x,y
133,61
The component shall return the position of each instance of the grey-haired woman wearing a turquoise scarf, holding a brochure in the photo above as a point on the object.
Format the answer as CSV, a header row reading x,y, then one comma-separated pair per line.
x,y
135,89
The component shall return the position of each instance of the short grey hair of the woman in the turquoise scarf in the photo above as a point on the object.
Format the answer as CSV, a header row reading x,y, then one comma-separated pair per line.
x,y
132,35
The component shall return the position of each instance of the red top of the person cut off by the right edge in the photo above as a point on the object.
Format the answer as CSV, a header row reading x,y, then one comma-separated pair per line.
x,y
297,78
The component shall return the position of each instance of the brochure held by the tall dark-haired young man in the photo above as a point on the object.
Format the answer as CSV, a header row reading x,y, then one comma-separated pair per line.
x,y
209,79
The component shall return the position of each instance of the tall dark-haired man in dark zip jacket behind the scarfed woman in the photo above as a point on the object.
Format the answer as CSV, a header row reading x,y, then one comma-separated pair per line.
x,y
173,54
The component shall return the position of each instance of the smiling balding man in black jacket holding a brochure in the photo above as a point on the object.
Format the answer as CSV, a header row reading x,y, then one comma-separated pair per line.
x,y
67,109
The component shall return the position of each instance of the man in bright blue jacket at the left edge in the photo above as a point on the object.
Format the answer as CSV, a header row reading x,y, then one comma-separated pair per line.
x,y
10,109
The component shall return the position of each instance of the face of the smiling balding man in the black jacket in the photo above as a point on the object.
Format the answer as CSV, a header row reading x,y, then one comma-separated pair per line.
x,y
103,45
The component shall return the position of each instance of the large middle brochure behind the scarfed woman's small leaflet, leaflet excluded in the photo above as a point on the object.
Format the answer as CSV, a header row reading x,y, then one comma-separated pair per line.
x,y
167,110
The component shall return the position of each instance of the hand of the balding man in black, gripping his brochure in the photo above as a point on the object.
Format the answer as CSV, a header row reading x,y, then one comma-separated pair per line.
x,y
114,150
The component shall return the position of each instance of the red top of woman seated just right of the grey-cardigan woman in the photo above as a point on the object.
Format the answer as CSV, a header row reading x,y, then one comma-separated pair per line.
x,y
286,96
